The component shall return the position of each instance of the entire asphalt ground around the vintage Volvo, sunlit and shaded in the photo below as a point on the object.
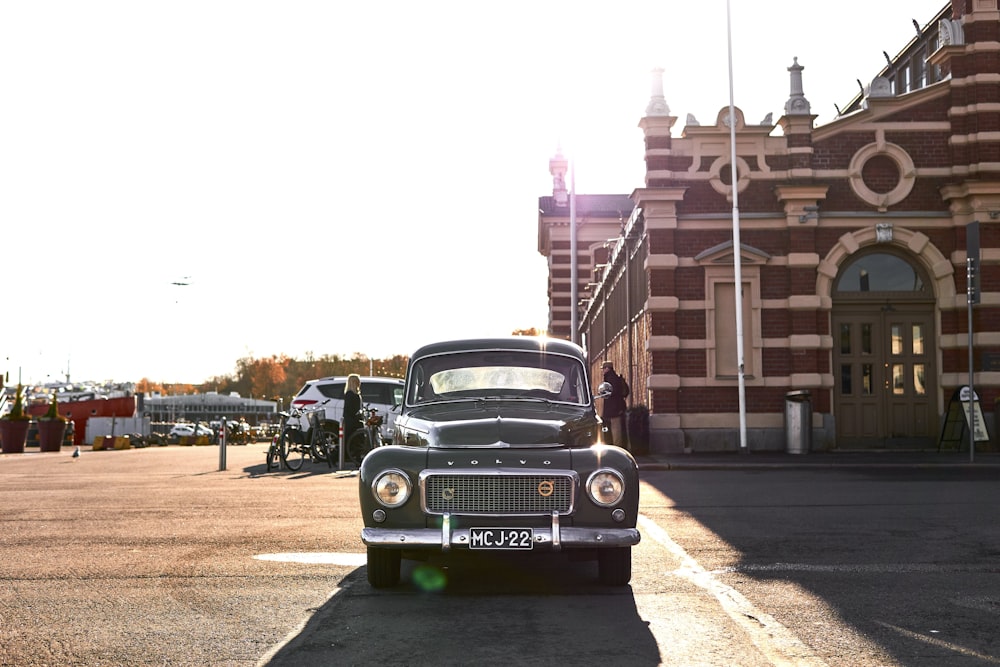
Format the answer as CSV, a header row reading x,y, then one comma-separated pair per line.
x,y
156,557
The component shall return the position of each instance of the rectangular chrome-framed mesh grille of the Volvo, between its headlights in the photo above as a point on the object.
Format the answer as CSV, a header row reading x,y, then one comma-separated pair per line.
x,y
498,494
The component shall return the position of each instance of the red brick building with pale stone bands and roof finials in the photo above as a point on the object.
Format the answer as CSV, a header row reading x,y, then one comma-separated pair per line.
x,y
853,259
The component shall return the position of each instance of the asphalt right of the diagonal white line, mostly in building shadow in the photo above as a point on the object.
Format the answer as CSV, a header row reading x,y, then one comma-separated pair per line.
x,y
881,552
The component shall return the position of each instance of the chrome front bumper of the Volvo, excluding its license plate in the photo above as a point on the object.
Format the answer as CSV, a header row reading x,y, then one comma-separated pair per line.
x,y
549,538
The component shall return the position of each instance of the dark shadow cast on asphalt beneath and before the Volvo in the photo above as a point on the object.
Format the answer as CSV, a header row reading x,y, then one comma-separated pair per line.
x,y
477,609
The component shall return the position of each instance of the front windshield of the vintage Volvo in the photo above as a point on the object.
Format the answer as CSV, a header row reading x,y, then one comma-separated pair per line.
x,y
498,374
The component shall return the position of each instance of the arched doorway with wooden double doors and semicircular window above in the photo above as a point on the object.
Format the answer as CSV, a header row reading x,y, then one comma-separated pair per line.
x,y
884,353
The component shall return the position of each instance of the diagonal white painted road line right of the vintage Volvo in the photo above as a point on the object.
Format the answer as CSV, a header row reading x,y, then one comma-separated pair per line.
x,y
775,641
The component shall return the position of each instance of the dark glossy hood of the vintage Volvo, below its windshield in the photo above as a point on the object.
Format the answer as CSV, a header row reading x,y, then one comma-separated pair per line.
x,y
512,424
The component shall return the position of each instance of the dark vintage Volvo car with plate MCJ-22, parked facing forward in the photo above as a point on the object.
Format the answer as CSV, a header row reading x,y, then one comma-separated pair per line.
x,y
497,447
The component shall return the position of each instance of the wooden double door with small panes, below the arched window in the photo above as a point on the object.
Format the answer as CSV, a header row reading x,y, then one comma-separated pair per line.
x,y
885,376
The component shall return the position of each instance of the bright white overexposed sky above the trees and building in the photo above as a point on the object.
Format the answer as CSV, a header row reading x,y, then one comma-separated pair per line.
x,y
344,178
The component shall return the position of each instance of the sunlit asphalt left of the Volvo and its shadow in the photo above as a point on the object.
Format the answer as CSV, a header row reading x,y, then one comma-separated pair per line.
x,y
153,556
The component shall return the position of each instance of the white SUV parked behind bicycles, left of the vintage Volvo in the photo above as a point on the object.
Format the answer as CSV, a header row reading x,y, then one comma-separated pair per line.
x,y
380,393
